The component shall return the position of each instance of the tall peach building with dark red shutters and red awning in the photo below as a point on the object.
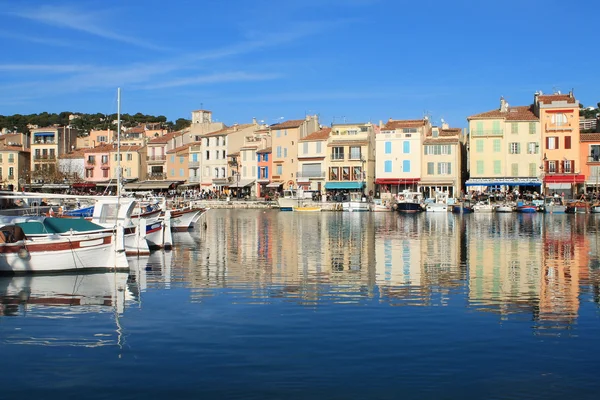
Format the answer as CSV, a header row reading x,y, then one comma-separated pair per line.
x,y
559,119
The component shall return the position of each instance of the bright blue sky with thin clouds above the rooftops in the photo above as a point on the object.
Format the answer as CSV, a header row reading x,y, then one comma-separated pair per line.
x,y
357,60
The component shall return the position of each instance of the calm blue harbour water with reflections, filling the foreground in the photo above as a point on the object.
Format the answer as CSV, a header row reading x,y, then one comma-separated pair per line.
x,y
273,305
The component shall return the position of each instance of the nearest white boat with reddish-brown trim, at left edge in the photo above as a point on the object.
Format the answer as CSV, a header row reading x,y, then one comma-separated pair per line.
x,y
59,253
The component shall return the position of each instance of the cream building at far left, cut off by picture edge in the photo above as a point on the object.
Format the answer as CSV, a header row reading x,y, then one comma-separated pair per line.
x,y
14,165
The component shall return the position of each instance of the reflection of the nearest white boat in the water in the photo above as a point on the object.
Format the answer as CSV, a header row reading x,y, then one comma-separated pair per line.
x,y
63,301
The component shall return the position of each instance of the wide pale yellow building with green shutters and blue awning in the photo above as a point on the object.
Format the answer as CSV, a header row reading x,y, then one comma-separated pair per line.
x,y
504,149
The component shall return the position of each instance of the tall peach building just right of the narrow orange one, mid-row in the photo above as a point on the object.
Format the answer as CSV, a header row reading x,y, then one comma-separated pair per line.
x,y
284,140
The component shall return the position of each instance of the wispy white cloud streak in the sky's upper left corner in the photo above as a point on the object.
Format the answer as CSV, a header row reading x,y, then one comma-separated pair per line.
x,y
90,23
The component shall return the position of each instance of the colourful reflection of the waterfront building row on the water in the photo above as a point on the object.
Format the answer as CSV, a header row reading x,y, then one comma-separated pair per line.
x,y
518,266
